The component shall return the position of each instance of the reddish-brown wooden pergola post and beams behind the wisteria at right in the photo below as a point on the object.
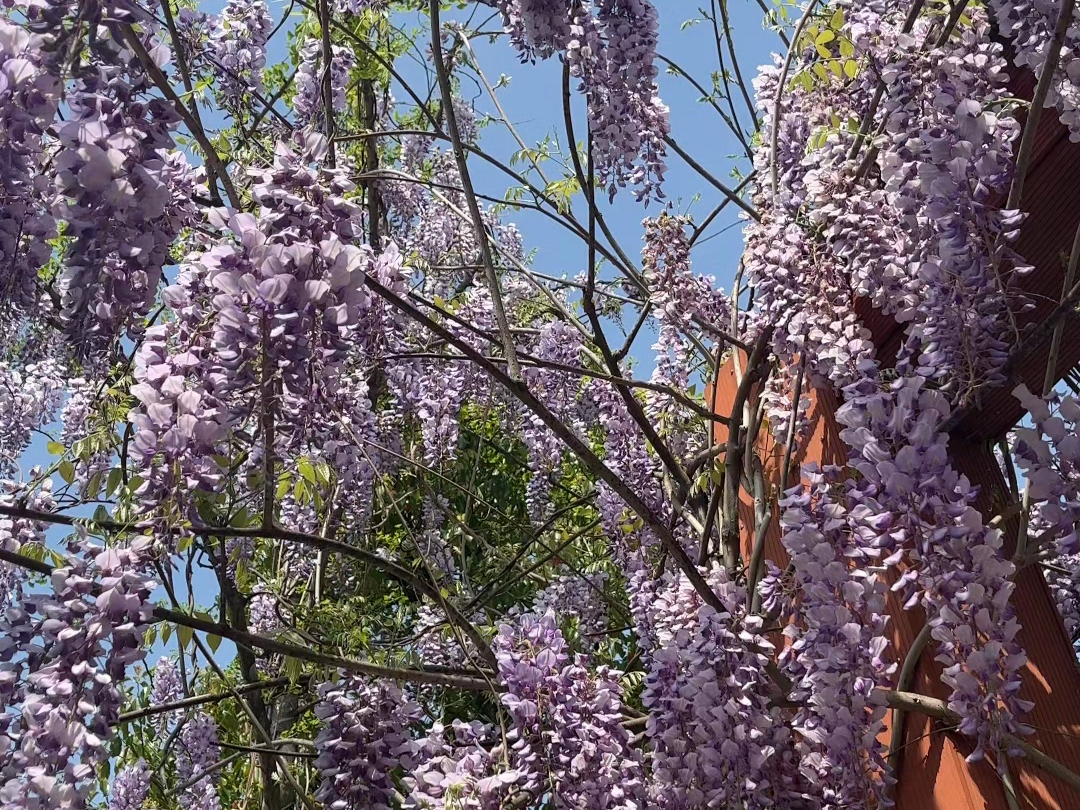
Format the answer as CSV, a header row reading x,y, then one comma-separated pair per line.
x,y
934,774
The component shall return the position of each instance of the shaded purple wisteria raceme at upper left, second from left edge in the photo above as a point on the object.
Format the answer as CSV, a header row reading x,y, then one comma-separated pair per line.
x,y
123,193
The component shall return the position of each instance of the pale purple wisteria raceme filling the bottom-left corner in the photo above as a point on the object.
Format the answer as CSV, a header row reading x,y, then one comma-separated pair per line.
x,y
64,658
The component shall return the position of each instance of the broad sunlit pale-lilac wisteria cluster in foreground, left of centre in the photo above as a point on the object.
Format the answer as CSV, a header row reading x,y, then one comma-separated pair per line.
x,y
272,307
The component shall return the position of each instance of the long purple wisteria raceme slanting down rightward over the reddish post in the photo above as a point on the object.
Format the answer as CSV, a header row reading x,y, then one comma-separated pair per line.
x,y
917,505
